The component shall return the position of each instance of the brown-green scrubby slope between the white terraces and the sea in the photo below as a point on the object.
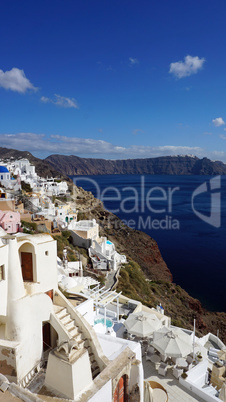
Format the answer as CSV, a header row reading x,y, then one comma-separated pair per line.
x,y
177,303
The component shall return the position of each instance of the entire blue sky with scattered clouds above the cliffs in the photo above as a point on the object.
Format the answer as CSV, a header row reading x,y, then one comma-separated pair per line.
x,y
113,79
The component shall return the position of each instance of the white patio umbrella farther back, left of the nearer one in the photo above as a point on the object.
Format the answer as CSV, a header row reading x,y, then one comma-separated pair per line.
x,y
142,324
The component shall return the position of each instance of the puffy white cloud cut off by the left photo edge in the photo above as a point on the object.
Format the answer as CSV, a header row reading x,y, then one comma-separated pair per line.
x,y
15,80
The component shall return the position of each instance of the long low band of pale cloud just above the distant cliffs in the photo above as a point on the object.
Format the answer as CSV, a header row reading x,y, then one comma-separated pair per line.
x,y
42,146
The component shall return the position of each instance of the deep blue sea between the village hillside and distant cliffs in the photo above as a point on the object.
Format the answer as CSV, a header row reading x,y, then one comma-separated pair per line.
x,y
193,249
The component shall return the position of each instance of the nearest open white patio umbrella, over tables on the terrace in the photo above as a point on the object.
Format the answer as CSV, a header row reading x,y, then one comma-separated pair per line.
x,y
172,342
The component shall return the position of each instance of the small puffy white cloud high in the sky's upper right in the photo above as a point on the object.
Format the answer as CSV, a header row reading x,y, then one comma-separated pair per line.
x,y
190,65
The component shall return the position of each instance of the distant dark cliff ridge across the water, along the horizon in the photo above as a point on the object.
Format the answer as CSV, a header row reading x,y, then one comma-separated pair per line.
x,y
177,165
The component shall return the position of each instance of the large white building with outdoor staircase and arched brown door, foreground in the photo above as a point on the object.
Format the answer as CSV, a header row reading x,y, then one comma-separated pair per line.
x,y
37,322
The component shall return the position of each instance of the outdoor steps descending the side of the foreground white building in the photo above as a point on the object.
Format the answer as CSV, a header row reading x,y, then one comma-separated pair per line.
x,y
73,332
